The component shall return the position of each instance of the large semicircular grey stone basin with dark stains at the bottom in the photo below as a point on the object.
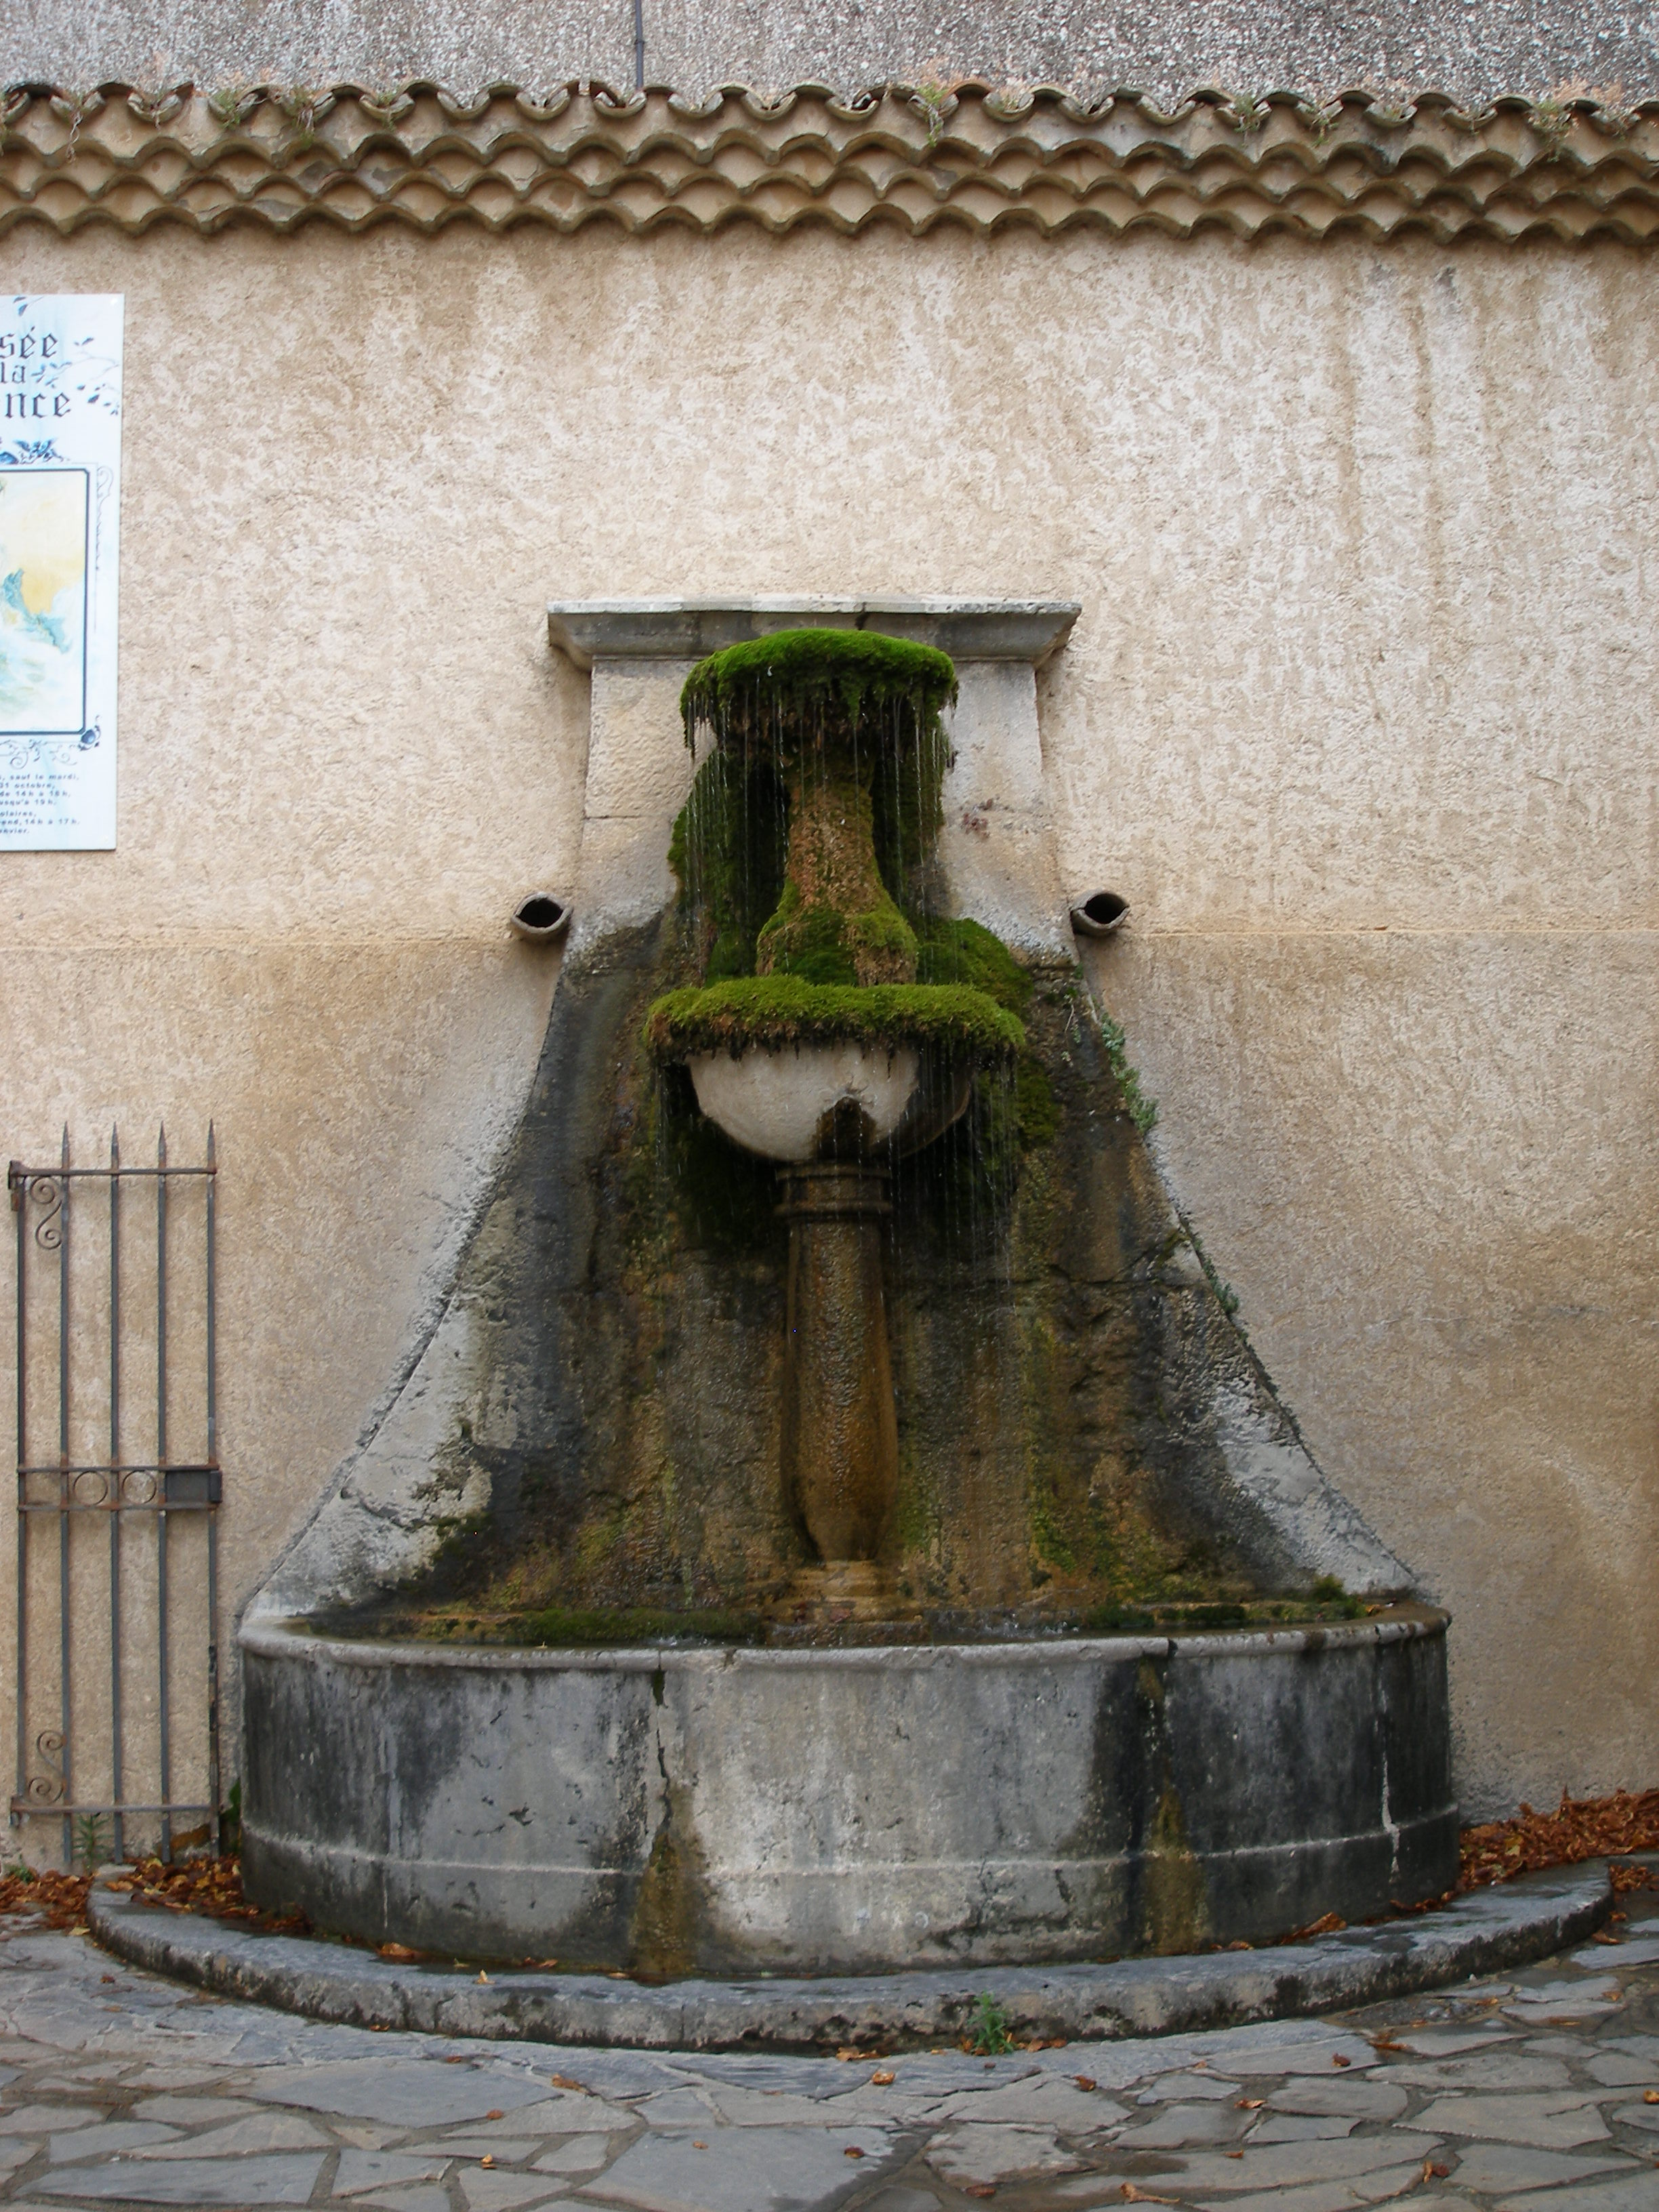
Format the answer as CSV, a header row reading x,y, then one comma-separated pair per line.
x,y
696,1811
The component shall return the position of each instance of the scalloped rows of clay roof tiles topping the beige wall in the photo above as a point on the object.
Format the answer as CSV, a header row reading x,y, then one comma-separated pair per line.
x,y
917,158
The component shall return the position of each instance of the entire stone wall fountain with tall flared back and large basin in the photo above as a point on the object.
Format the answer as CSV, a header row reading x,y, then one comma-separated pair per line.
x,y
833,1523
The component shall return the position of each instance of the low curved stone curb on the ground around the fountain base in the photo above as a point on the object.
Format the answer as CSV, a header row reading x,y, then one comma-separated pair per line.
x,y
1485,1932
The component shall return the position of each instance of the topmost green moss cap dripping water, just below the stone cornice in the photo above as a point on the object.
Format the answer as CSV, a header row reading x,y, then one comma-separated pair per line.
x,y
855,676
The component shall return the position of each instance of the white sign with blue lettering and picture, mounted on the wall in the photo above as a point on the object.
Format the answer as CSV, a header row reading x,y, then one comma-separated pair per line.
x,y
61,517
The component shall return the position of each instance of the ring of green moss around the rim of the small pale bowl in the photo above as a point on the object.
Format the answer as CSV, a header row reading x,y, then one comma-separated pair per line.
x,y
786,1010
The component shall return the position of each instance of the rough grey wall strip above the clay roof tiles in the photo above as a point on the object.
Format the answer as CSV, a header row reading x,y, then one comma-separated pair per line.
x,y
1162,48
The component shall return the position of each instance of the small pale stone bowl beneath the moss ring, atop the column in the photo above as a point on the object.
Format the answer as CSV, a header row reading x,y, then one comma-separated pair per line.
x,y
773,1100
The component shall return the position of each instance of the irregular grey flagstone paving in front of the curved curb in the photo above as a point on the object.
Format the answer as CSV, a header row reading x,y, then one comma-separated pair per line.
x,y
1532,2091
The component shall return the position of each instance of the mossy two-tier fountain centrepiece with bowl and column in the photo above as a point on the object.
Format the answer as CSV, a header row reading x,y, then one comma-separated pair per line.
x,y
817,808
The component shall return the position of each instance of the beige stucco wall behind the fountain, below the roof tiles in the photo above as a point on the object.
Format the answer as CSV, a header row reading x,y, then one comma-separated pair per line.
x,y
1364,543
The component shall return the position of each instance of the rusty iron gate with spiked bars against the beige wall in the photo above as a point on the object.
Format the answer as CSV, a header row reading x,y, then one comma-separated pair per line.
x,y
121,1695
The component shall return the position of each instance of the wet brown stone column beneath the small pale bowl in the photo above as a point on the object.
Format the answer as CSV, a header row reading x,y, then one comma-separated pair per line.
x,y
839,1423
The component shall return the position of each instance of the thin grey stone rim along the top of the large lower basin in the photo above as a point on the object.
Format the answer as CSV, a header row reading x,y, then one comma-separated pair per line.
x,y
286,1638
